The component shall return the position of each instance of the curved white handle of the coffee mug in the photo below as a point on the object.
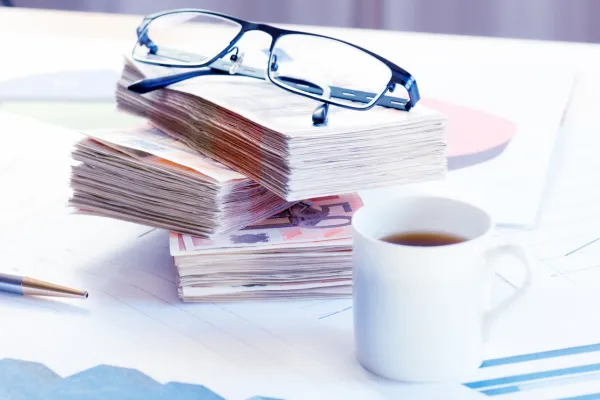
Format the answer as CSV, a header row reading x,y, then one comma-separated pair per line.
x,y
492,256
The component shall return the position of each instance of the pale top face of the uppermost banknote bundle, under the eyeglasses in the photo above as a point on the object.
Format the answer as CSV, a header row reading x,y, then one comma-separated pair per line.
x,y
260,101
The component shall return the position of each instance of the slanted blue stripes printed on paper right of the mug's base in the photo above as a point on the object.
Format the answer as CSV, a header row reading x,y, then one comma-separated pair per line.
x,y
542,378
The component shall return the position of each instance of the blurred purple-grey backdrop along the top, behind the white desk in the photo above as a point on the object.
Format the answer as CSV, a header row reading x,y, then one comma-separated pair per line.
x,y
565,20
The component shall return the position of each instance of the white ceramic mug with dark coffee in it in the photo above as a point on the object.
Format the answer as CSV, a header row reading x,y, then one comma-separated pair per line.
x,y
421,313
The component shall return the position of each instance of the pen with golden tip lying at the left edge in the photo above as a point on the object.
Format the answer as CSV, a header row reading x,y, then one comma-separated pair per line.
x,y
29,286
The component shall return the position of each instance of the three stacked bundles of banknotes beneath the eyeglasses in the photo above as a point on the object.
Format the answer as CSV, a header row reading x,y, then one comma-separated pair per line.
x,y
257,199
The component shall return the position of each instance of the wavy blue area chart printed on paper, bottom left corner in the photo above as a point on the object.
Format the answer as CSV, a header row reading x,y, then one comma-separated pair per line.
x,y
25,380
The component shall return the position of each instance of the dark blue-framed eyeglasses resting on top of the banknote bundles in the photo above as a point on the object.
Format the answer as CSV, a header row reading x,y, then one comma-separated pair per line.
x,y
322,68
